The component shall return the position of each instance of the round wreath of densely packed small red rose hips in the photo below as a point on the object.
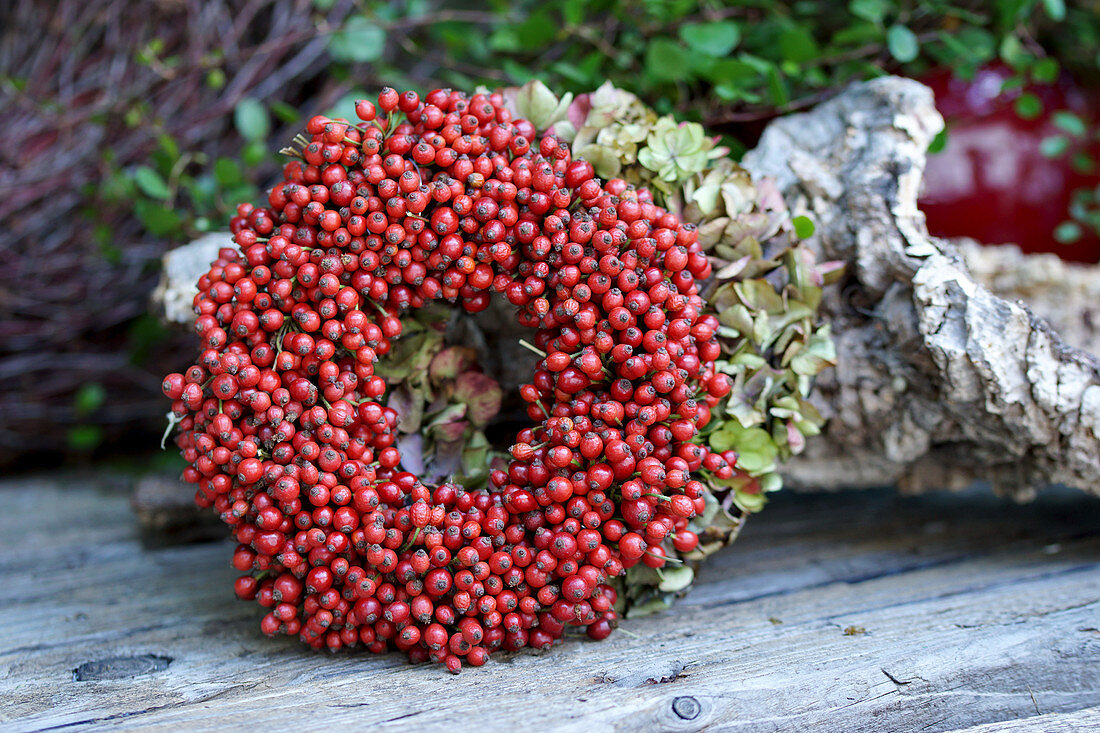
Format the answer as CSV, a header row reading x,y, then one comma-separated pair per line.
x,y
283,422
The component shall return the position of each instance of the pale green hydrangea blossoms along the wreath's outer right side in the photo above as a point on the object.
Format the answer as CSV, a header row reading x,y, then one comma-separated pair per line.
x,y
766,292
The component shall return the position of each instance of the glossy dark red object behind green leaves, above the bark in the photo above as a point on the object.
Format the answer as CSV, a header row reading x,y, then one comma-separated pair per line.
x,y
992,182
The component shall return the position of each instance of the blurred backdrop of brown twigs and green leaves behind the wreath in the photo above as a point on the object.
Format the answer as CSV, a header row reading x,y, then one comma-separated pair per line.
x,y
131,127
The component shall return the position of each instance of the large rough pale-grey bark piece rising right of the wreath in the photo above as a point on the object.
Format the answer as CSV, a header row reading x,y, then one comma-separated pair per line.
x,y
941,381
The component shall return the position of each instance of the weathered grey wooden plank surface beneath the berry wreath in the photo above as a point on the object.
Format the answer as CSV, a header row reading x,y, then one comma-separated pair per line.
x,y
851,612
